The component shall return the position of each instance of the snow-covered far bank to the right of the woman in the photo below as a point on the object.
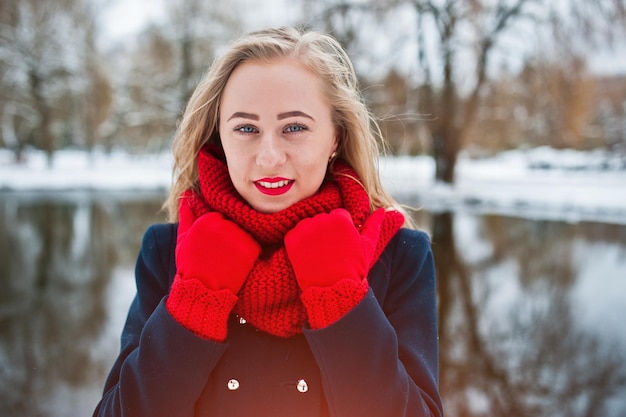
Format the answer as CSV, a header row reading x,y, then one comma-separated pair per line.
x,y
540,183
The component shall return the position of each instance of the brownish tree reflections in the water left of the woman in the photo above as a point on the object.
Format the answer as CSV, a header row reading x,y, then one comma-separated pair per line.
x,y
57,260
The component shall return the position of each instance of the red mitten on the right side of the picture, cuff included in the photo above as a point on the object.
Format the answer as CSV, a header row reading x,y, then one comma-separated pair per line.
x,y
331,260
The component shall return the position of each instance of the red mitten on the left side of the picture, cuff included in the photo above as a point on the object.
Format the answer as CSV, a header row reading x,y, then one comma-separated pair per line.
x,y
213,259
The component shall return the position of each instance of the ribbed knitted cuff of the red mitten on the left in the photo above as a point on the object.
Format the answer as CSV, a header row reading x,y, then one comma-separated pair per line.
x,y
201,310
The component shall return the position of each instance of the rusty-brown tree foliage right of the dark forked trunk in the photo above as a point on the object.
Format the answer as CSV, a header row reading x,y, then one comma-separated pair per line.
x,y
546,103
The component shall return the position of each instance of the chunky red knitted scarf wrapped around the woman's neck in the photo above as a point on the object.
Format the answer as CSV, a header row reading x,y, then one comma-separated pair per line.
x,y
270,297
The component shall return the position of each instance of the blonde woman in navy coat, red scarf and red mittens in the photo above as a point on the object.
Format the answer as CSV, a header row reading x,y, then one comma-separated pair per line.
x,y
285,284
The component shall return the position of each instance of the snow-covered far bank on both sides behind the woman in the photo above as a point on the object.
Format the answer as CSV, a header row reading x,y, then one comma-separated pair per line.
x,y
539,183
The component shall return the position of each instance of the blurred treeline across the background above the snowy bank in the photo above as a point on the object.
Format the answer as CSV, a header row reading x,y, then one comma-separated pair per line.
x,y
465,74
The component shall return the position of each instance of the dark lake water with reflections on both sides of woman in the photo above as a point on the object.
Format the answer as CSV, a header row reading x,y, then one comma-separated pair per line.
x,y
531,312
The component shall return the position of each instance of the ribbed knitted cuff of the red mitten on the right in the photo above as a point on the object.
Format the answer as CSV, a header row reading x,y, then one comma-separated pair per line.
x,y
326,305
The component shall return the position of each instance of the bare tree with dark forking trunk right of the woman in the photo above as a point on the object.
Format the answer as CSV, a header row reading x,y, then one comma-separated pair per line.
x,y
454,113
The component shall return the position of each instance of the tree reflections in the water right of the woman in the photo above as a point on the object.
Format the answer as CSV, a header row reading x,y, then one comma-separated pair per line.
x,y
512,342
